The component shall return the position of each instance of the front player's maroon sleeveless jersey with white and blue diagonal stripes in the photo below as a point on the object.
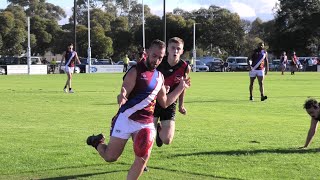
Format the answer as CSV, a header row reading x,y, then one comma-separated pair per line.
x,y
142,99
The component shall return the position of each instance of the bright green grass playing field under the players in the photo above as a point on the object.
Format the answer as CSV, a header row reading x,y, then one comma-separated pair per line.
x,y
223,136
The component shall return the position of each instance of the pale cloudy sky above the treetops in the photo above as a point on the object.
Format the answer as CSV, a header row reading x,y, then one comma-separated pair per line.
x,y
247,9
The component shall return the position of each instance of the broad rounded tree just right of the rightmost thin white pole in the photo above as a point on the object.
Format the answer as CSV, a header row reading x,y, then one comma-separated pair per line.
x,y
219,27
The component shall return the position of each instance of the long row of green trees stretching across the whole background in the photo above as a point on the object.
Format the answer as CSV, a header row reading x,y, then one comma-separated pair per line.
x,y
295,27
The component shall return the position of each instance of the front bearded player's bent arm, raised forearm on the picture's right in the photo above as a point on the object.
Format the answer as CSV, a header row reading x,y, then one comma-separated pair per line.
x,y
166,100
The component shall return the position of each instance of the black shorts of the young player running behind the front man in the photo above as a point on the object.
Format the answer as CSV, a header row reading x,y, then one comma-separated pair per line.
x,y
165,114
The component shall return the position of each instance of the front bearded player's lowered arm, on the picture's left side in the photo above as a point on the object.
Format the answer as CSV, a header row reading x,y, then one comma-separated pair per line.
x,y
128,84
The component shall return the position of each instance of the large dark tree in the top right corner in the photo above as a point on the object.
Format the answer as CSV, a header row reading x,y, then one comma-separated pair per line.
x,y
296,26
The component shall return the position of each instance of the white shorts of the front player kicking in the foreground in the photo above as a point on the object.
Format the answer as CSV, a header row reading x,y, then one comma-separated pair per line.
x,y
124,127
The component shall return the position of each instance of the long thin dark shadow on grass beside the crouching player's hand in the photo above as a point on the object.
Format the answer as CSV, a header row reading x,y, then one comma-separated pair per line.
x,y
250,152
